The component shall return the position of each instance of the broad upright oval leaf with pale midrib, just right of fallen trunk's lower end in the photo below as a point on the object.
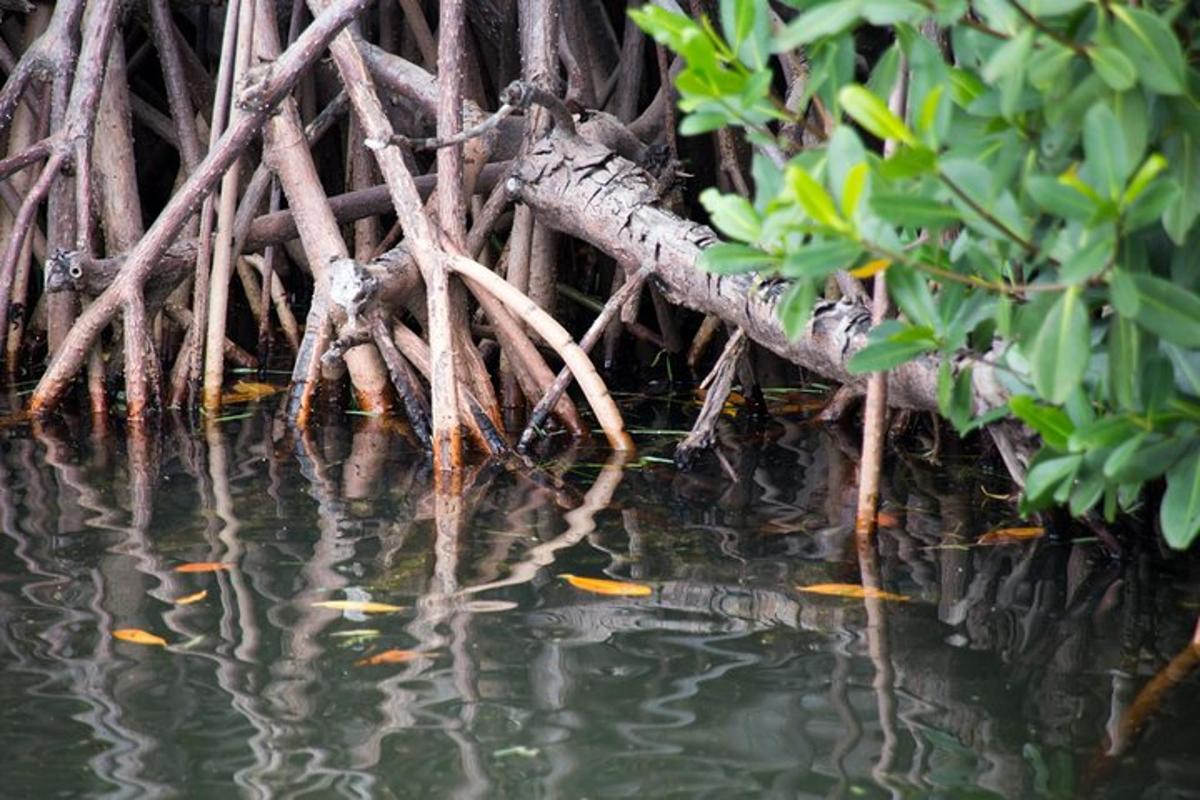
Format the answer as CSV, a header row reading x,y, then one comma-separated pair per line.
x,y
1061,350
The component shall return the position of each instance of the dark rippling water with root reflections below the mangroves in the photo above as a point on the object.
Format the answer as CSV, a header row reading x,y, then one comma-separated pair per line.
x,y
1007,675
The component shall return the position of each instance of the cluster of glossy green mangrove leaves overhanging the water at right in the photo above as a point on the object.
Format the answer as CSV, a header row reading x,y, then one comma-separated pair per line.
x,y
1034,200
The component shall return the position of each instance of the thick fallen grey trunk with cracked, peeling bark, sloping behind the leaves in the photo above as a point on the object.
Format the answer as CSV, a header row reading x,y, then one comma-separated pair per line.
x,y
587,191
